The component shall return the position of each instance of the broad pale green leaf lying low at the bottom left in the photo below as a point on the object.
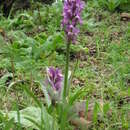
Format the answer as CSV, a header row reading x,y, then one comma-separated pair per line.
x,y
30,117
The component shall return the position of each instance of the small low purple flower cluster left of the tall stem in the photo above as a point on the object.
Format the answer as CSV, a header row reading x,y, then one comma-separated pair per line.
x,y
54,78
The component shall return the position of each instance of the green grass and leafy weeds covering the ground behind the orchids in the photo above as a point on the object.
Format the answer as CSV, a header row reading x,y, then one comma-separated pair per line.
x,y
28,45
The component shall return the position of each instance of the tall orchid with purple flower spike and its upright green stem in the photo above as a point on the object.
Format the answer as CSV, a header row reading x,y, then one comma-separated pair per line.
x,y
71,18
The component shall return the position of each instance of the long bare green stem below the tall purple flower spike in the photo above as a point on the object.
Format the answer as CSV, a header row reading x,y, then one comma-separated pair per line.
x,y
66,72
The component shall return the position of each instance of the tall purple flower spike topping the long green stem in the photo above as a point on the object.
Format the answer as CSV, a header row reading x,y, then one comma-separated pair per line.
x,y
71,17
